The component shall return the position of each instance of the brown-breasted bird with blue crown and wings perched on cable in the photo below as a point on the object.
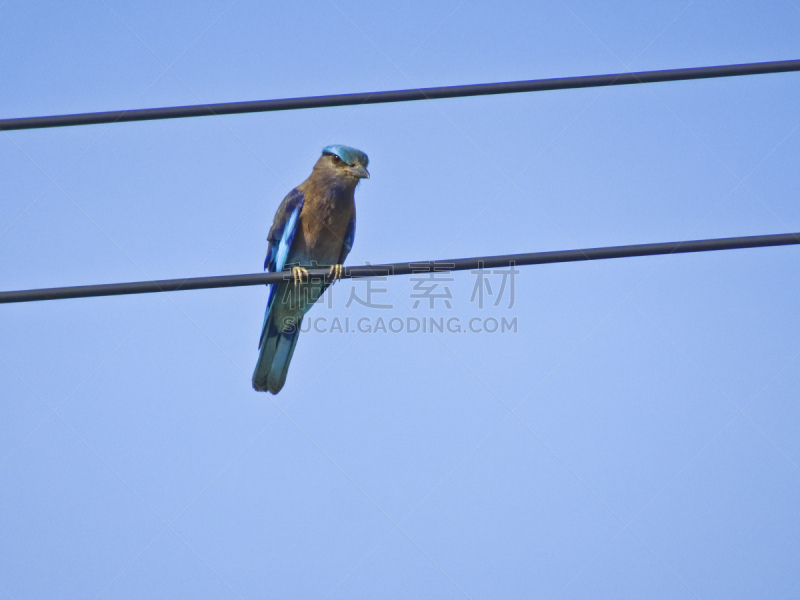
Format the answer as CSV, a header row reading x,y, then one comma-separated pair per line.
x,y
313,227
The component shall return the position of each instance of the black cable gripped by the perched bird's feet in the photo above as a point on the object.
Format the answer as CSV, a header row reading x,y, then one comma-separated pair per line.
x,y
439,266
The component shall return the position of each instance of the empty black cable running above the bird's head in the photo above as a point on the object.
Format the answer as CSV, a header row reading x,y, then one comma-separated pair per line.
x,y
459,91
